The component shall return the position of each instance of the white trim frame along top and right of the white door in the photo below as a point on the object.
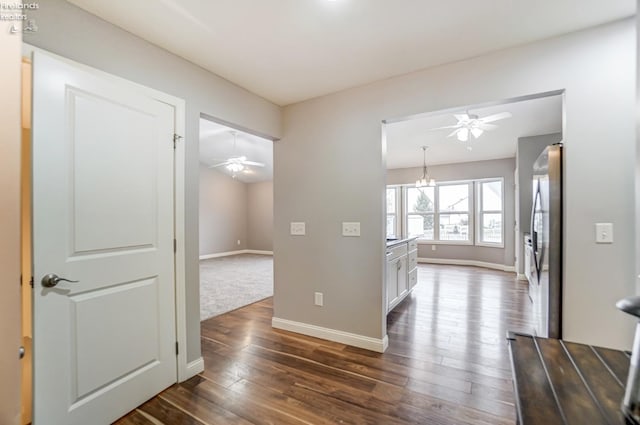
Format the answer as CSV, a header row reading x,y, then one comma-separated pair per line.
x,y
183,370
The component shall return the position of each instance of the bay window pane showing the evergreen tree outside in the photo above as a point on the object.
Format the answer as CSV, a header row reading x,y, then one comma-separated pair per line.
x,y
421,212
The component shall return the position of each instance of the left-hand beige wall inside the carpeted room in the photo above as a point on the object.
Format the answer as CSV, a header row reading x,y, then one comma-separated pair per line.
x,y
223,212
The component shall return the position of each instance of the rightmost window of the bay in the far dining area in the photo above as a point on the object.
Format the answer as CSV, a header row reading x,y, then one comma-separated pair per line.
x,y
490,212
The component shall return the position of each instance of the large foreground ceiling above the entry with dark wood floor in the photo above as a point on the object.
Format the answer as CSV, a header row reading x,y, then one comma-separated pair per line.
x,y
291,50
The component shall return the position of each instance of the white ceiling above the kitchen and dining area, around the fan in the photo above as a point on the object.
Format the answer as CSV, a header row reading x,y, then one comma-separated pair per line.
x,y
529,118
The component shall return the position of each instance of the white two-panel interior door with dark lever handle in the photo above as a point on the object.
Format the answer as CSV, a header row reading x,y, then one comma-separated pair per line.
x,y
102,215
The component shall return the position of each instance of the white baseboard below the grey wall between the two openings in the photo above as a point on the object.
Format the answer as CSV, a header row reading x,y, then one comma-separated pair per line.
x,y
361,341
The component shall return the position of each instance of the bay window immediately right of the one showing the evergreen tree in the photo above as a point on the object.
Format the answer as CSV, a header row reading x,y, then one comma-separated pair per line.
x,y
453,212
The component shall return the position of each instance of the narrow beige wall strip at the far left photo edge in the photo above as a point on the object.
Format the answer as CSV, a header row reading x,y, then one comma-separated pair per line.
x,y
10,144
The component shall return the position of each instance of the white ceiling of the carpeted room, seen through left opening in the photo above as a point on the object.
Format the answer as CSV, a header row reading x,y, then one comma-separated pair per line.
x,y
216,146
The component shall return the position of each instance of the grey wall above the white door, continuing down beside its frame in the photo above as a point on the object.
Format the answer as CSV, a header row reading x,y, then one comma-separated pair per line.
x,y
73,33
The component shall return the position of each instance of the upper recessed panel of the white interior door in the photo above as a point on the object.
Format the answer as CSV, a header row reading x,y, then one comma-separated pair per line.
x,y
125,214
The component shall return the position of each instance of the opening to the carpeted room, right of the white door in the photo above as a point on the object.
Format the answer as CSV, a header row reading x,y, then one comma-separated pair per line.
x,y
236,217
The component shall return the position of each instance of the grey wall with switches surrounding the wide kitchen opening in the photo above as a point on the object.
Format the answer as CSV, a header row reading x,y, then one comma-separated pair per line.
x,y
343,177
